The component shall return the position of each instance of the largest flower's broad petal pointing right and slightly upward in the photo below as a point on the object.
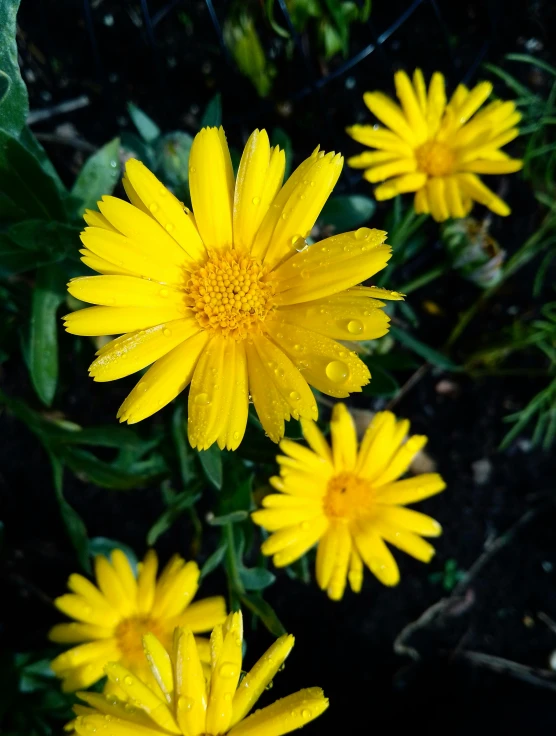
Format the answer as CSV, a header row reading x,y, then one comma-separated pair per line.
x,y
331,266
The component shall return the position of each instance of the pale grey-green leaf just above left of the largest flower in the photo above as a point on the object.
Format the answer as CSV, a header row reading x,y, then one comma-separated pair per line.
x,y
98,176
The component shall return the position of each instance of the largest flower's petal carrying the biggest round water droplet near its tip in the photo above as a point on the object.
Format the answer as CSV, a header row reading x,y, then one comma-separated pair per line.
x,y
326,365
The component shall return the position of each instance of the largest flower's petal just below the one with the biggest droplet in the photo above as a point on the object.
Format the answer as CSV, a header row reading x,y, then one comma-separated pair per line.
x,y
288,380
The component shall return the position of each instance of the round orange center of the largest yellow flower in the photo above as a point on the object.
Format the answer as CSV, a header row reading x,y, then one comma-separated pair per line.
x,y
230,294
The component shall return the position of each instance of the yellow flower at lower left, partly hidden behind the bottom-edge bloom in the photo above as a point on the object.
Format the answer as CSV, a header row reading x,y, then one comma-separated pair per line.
x,y
111,619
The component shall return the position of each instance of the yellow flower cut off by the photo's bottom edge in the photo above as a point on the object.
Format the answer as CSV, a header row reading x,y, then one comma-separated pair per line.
x,y
179,699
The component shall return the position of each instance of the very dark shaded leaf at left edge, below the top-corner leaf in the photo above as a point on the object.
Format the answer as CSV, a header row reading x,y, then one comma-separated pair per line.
x,y
29,185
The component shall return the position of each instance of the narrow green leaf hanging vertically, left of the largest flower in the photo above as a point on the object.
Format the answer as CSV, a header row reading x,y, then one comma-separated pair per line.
x,y
48,294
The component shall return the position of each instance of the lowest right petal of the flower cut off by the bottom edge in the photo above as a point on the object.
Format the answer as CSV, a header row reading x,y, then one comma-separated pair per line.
x,y
285,715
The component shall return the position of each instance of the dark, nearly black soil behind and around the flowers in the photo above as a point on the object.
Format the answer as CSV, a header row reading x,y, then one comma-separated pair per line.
x,y
346,647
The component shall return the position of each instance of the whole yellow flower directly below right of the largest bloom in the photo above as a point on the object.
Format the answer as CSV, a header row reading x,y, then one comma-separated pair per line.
x,y
349,500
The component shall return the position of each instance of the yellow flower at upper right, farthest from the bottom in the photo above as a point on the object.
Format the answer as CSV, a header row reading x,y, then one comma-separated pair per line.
x,y
436,149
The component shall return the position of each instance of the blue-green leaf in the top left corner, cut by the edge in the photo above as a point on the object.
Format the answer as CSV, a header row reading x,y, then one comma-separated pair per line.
x,y
14,104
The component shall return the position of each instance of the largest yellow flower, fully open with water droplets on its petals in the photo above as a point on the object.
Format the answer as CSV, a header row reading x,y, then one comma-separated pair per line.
x,y
229,299
